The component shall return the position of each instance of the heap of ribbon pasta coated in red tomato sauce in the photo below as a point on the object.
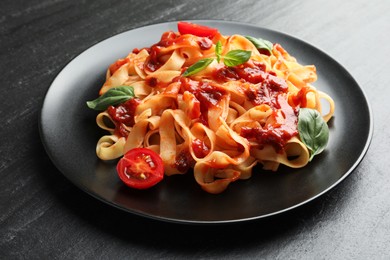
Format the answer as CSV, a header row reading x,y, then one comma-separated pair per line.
x,y
220,121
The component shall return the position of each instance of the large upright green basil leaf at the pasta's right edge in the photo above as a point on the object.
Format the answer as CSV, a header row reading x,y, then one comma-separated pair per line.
x,y
313,130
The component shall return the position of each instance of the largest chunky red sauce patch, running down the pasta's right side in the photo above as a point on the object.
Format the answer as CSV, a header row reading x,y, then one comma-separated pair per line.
x,y
266,89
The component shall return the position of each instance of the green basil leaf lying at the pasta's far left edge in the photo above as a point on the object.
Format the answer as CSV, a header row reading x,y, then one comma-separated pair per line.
x,y
113,96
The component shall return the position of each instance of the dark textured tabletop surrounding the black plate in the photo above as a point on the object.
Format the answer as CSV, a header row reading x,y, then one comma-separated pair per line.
x,y
45,216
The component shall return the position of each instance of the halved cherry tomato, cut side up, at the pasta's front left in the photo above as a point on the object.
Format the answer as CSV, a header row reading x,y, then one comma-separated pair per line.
x,y
140,168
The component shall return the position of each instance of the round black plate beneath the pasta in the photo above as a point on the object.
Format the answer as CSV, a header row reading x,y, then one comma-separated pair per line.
x,y
69,133
